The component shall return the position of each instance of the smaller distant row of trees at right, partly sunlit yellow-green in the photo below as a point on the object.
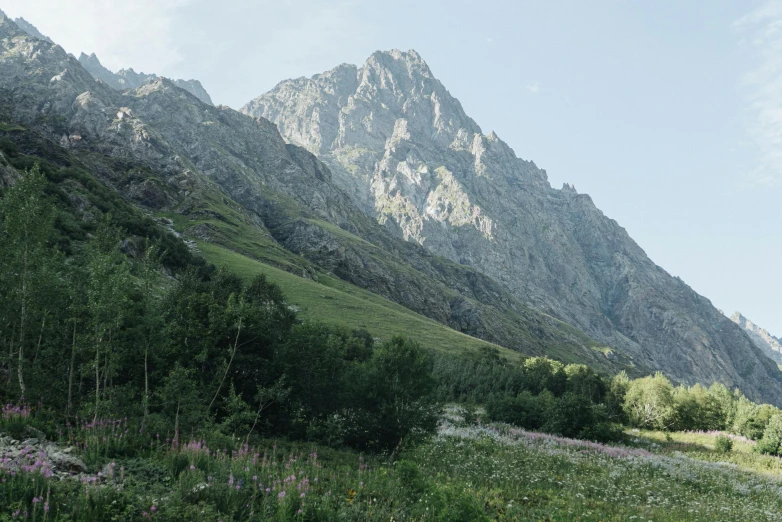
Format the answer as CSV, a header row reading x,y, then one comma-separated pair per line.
x,y
572,400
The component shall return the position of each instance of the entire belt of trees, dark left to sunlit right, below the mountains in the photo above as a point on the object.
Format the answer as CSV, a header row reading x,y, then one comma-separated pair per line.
x,y
115,334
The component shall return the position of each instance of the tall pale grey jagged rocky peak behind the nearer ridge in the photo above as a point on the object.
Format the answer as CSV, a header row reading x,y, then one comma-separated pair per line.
x,y
404,149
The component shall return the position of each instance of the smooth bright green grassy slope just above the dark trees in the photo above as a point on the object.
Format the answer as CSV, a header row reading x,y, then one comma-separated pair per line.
x,y
333,300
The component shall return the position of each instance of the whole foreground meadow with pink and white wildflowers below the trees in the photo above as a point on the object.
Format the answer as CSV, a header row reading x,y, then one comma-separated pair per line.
x,y
466,472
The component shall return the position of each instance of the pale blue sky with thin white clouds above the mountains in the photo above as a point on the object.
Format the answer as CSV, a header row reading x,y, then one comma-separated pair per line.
x,y
667,113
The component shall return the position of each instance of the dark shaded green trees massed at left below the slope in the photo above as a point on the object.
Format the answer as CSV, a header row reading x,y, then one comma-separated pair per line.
x,y
97,335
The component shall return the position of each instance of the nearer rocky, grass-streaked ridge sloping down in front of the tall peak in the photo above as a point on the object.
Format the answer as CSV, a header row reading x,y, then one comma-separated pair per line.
x,y
231,179
